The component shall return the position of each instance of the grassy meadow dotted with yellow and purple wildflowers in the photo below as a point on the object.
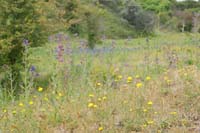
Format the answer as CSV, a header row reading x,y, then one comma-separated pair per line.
x,y
110,91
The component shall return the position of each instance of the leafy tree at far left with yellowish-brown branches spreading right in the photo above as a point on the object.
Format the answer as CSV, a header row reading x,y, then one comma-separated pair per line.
x,y
29,22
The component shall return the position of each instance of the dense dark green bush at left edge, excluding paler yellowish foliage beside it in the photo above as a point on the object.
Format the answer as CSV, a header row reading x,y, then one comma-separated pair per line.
x,y
19,22
